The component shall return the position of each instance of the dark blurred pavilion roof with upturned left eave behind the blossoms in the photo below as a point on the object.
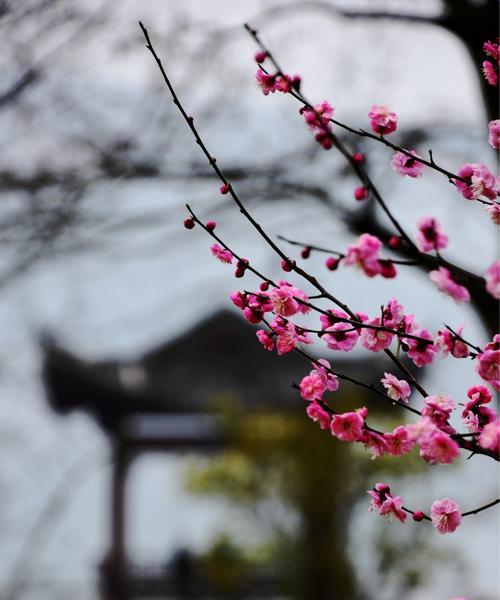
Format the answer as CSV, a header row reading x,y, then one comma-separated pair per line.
x,y
218,357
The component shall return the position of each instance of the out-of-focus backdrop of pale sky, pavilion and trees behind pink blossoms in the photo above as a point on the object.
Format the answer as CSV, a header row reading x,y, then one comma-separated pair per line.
x,y
150,447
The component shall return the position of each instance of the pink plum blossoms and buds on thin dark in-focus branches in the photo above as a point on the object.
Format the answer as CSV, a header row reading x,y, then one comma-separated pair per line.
x,y
278,305
